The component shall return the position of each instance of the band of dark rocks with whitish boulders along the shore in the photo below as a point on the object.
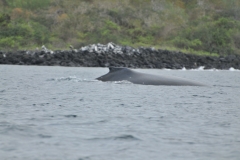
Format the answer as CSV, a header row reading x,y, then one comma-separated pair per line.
x,y
99,55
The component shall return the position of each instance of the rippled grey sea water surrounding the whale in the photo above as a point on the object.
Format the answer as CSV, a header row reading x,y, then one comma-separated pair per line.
x,y
59,113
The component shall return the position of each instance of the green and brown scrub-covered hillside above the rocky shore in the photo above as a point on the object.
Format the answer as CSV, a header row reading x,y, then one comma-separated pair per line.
x,y
209,27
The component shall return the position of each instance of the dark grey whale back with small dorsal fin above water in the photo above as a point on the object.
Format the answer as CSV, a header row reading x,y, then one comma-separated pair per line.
x,y
120,74
